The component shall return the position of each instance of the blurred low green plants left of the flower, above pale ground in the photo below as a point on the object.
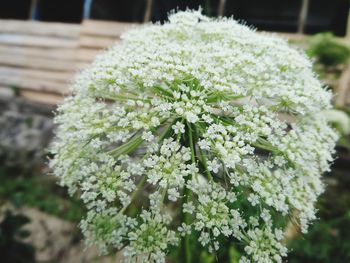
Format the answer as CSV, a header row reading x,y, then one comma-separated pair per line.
x,y
39,191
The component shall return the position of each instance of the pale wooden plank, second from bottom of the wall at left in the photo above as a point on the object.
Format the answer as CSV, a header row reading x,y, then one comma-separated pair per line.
x,y
32,84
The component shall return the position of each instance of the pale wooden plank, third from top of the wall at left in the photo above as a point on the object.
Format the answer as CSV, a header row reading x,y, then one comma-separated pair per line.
x,y
67,54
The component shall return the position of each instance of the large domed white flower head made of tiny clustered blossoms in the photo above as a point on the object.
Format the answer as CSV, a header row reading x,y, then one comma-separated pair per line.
x,y
198,128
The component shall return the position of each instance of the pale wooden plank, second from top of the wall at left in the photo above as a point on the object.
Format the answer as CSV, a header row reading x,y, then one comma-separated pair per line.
x,y
37,41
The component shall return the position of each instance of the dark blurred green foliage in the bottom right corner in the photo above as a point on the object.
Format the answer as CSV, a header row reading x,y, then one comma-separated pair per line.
x,y
328,240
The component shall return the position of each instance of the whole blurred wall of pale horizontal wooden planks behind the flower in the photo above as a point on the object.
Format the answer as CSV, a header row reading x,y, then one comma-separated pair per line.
x,y
38,59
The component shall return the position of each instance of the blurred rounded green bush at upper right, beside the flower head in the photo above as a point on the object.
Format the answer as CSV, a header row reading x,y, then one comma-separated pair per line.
x,y
328,50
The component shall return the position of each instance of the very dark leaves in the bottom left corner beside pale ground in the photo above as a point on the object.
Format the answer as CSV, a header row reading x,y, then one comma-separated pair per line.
x,y
12,249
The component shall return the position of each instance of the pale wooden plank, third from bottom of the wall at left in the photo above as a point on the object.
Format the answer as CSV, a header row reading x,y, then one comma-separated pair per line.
x,y
58,76
